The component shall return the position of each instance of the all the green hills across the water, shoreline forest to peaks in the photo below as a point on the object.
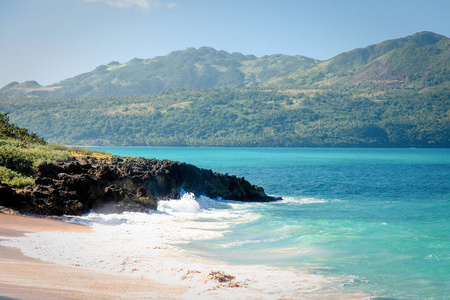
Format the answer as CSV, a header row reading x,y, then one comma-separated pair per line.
x,y
392,94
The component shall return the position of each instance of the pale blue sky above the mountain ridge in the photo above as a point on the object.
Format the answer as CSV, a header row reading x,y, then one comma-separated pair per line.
x,y
52,40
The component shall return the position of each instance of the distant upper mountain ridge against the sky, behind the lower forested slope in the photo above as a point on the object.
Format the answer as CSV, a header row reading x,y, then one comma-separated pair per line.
x,y
419,60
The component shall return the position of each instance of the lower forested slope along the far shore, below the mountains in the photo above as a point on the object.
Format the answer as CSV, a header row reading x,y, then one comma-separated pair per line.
x,y
245,117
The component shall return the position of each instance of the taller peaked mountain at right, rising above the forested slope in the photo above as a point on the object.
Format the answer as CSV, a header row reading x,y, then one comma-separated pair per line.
x,y
415,61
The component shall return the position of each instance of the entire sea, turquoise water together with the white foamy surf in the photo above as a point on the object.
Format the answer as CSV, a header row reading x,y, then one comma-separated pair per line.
x,y
372,223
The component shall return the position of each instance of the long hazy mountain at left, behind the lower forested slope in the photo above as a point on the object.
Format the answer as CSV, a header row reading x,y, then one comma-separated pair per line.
x,y
192,68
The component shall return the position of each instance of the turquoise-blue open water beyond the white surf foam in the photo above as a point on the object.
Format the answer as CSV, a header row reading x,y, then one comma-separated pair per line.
x,y
378,216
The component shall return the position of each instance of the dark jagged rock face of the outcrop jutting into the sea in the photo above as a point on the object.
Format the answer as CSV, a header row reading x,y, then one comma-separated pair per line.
x,y
115,185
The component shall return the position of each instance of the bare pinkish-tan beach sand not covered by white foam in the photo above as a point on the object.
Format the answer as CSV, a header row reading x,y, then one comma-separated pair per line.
x,y
22,277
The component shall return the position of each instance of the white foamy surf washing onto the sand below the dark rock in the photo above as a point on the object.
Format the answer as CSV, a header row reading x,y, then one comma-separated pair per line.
x,y
144,245
